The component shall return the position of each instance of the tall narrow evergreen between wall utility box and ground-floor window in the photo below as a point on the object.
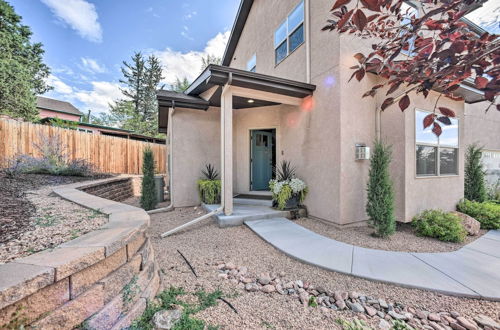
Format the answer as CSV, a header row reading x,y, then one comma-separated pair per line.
x,y
380,205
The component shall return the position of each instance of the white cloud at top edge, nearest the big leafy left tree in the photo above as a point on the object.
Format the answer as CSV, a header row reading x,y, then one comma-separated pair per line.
x,y
80,15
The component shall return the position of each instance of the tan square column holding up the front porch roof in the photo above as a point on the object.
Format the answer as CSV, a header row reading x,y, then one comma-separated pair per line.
x,y
226,113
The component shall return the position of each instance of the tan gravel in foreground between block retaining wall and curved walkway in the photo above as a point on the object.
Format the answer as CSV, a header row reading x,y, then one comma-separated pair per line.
x,y
207,246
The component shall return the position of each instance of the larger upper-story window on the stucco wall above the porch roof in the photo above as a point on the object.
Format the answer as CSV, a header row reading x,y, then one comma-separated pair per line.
x,y
290,34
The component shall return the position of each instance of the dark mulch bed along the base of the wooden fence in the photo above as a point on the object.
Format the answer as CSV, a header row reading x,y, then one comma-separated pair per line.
x,y
15,209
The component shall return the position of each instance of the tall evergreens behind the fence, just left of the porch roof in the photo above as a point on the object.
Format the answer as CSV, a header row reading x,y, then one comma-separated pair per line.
x,y
138,111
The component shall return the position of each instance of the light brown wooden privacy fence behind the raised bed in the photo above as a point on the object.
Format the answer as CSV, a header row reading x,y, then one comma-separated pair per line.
x,y
108,154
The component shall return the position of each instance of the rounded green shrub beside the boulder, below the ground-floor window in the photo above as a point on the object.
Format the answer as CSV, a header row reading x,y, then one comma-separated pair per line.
x,y
441,225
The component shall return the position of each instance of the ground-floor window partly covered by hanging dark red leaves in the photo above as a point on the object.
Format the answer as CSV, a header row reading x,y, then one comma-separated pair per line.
x,y
436,156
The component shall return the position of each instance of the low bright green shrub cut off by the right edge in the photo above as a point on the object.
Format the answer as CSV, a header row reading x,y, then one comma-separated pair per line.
x,y
487,213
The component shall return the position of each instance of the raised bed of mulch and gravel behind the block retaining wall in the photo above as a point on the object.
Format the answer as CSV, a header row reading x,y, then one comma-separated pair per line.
x,y
33,220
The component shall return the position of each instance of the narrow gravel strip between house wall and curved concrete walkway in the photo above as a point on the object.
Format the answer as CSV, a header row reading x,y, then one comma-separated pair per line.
x,y
404,239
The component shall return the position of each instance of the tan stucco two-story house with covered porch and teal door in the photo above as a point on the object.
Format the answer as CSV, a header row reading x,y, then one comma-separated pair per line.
x,y
283,94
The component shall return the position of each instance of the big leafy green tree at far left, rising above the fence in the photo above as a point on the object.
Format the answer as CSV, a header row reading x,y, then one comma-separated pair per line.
x,y
22,71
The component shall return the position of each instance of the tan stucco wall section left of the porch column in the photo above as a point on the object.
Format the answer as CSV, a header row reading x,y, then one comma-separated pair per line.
x,y
196,142
